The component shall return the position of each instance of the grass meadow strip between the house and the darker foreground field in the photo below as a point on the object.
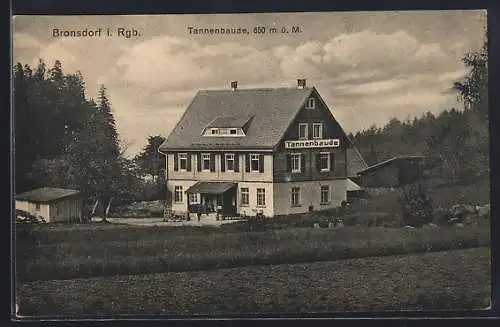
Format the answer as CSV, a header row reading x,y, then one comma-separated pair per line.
x,y
138,251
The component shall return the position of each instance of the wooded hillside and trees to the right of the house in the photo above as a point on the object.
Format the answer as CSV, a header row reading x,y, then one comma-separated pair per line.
x,y
455,142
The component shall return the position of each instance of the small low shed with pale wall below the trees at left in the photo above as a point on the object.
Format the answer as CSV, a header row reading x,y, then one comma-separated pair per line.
x,y
53,204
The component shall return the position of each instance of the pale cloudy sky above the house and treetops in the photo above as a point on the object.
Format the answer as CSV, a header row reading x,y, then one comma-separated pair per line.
x,y
368,66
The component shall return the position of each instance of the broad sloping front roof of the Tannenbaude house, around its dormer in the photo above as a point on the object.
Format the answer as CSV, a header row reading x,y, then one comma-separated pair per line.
x,y
274,109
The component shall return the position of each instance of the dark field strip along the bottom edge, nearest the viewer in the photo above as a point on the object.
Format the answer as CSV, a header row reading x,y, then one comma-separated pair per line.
x,y
457,280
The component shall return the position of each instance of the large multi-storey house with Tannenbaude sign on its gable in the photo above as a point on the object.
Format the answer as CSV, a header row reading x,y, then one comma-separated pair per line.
x,y
273,151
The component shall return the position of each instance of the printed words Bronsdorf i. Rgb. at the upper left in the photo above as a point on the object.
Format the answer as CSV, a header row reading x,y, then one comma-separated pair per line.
x,y
124,32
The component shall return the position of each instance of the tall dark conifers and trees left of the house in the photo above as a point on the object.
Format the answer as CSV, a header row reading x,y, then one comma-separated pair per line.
x,y
63,139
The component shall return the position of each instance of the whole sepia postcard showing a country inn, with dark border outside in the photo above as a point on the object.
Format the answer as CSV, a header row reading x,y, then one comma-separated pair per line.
x,y
229,165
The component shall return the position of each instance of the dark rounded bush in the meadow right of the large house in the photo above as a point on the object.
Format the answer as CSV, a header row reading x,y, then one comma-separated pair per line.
x,y
416,205
